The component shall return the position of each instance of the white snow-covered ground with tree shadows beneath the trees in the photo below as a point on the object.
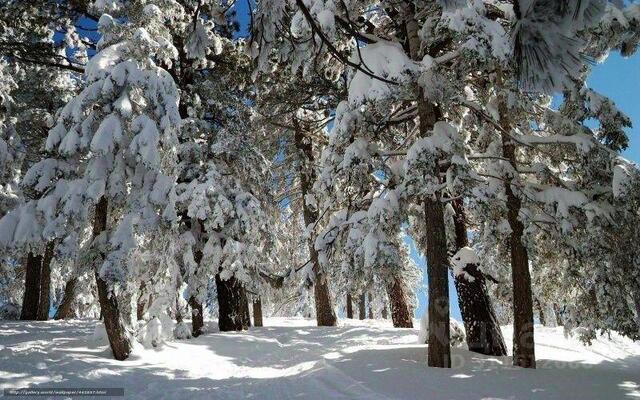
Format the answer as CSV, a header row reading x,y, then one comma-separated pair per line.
x,y
292,359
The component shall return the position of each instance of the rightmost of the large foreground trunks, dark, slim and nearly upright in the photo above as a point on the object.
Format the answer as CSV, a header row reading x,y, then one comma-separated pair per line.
x,y
523,336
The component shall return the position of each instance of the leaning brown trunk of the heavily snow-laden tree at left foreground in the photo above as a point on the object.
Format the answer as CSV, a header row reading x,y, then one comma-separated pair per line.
x,y
116,332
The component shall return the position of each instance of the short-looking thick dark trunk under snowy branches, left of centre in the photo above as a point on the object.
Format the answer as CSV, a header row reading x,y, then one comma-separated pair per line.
x,y
233,306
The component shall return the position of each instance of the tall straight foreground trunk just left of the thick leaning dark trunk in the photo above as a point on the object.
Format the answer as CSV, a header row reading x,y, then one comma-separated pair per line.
x,y
439,349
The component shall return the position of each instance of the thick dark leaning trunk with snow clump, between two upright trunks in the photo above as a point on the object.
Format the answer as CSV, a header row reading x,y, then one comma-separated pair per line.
x,y
483,332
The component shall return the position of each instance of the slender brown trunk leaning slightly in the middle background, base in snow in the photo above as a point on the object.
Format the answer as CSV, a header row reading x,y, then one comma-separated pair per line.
x,y
325,314
